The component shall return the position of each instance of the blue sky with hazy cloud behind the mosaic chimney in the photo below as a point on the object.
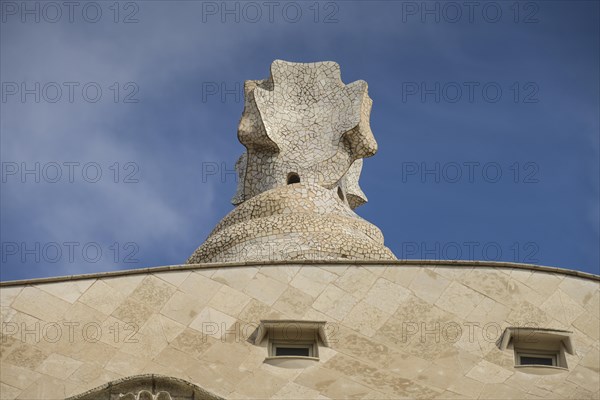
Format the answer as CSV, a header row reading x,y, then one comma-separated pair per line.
x,y
487,121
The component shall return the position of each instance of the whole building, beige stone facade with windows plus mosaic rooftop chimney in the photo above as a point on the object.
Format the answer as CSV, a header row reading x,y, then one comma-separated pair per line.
x,y
293,295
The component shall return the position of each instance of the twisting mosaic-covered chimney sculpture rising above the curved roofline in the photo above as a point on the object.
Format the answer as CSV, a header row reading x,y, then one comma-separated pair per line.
x,y
305,134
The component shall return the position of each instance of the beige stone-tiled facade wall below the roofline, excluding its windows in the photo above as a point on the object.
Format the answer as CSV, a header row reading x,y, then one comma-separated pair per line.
x,y
395,330
